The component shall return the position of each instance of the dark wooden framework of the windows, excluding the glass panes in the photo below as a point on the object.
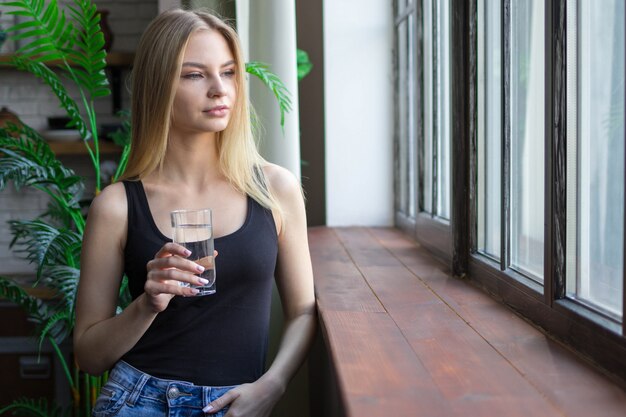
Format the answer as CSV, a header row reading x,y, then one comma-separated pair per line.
x,y
588,331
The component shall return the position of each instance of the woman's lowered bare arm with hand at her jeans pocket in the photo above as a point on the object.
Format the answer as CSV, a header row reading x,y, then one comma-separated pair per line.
x,y
294,279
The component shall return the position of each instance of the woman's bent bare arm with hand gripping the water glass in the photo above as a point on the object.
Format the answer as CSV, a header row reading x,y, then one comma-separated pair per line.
x,y
100,337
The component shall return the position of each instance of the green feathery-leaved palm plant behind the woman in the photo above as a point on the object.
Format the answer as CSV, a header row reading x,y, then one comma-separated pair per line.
x,y
63,50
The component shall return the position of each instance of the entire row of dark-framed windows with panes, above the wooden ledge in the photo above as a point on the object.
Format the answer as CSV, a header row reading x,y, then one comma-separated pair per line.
x,y
529,95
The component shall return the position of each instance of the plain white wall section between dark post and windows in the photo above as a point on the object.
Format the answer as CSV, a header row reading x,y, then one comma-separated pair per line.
x,y
358,77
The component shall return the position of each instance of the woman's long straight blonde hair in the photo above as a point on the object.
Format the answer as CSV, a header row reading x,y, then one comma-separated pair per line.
x,y
156,70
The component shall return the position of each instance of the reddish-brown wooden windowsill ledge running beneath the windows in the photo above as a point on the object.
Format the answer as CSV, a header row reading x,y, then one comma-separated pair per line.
x,y
405,338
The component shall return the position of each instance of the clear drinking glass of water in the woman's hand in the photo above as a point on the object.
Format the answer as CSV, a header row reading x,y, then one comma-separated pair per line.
x,y
193,229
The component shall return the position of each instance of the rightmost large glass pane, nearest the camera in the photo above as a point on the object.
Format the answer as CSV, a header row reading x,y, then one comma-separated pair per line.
x,y
595,143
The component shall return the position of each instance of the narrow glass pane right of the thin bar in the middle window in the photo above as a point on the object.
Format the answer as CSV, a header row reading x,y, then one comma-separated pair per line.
x,y
527,63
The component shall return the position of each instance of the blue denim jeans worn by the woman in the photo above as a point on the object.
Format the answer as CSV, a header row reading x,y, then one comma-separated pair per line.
x,y
130,392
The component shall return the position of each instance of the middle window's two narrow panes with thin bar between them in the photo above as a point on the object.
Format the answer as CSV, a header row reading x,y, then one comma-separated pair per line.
x,y
510,154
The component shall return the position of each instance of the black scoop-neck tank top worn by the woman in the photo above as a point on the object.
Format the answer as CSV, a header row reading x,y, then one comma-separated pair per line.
x,y
214,340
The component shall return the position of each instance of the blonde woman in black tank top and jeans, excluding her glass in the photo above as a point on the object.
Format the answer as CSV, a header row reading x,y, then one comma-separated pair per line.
x,y
192,147
